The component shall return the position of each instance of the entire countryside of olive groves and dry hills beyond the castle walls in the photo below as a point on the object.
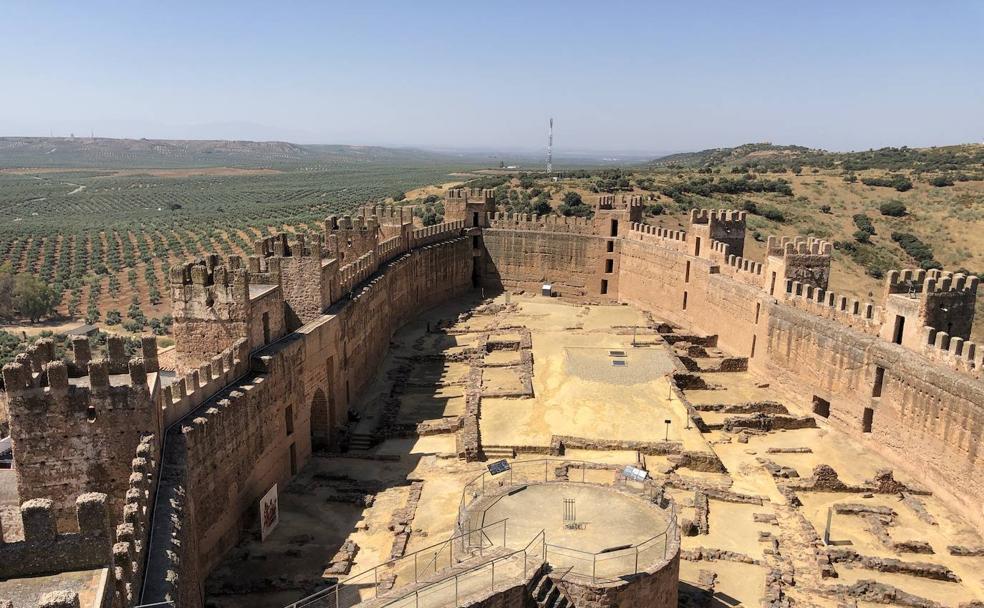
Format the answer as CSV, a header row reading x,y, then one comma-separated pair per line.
x,y
104,238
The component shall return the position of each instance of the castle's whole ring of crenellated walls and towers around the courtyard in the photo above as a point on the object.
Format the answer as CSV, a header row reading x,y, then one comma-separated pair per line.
x,y
155,477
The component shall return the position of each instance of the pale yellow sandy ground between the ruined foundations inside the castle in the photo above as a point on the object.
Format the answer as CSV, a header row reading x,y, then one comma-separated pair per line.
x,y
576,392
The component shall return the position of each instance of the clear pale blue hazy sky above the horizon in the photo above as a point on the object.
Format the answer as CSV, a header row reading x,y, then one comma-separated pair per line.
x,y
627,76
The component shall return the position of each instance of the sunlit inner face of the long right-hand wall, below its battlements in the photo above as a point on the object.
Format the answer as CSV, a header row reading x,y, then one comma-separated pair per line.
x,y
928,419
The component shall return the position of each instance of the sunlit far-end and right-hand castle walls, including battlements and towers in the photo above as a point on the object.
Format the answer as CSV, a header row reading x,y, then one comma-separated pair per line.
x,y
929,416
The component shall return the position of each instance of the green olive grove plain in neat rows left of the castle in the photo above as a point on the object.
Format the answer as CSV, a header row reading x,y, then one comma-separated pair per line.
x,y
106,238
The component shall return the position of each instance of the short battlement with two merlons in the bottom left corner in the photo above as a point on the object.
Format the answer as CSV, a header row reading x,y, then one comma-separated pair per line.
x,y
45,550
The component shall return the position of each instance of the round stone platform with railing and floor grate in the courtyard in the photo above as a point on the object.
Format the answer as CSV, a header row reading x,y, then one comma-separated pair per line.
x,y
614,545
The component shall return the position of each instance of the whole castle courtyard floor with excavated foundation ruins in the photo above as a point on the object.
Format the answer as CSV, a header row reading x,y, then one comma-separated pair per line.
x,y
591,387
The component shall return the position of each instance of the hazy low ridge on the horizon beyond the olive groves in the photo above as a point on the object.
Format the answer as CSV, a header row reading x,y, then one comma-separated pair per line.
x,y
158,153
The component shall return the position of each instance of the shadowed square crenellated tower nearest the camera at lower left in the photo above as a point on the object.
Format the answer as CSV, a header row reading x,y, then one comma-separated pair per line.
x,y
75,425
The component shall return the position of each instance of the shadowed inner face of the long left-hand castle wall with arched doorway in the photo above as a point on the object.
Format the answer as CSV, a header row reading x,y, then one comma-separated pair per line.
x,y
236,445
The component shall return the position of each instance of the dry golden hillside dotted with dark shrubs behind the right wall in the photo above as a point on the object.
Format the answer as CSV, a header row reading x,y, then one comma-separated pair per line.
x,y
823,201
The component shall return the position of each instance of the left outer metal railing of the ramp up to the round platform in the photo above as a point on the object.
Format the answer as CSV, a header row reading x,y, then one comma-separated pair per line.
x,y
409,569
